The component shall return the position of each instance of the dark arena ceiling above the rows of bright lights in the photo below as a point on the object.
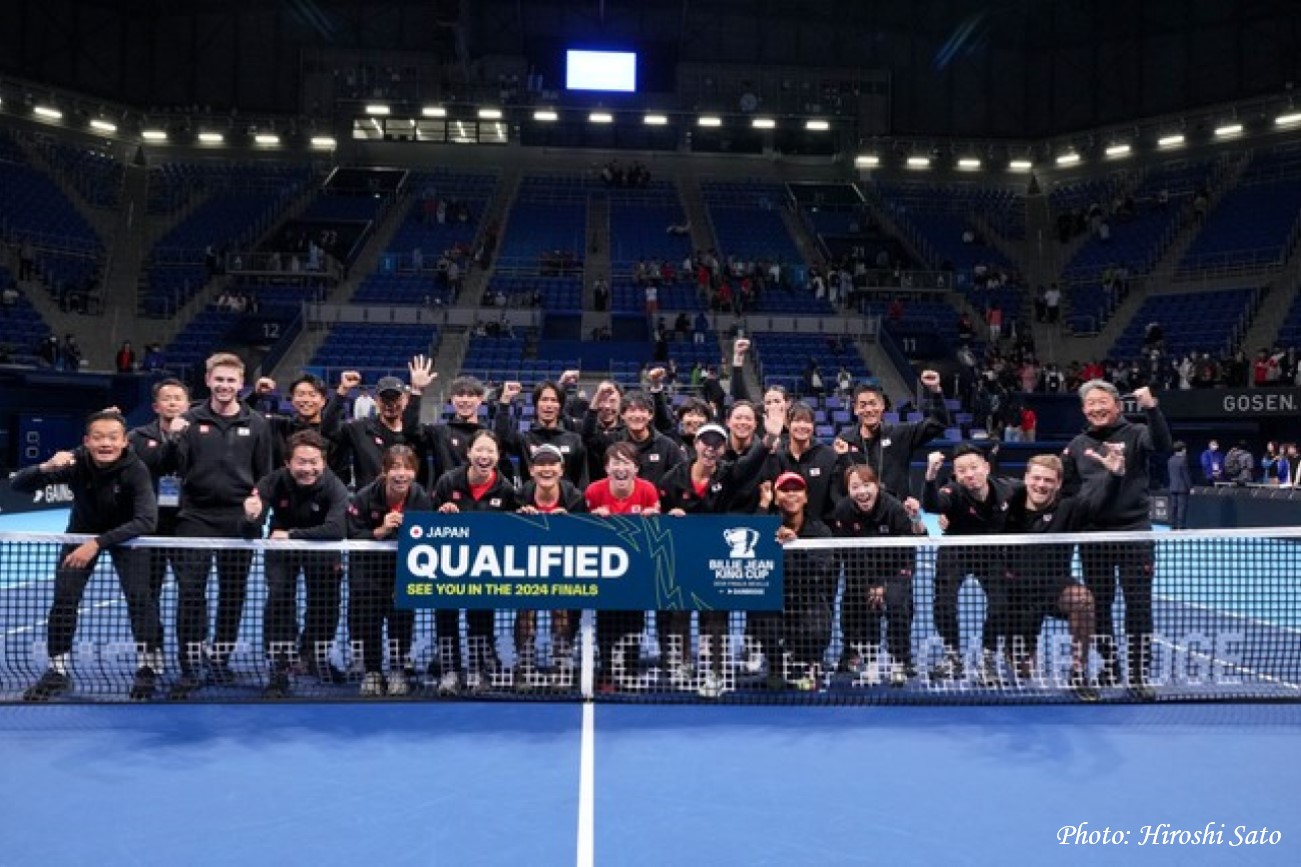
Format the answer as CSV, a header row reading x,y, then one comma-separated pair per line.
x,y
1015,68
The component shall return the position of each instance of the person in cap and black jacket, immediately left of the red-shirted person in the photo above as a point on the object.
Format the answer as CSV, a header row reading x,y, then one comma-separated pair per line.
x,y
548,493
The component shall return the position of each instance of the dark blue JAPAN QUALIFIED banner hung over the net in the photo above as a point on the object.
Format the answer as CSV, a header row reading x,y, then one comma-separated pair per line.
x,y
706,563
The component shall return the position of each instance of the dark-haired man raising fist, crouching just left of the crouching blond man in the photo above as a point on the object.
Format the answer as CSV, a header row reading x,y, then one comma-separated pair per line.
x,y
974,504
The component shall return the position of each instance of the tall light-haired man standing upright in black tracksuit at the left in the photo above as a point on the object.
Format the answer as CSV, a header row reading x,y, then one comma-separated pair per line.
x,y
223,448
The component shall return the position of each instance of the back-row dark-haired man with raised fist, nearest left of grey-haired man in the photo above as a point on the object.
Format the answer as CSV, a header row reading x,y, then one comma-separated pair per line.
x,y
889,448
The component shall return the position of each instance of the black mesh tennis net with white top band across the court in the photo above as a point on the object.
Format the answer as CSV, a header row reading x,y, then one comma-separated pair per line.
x,y
1139,616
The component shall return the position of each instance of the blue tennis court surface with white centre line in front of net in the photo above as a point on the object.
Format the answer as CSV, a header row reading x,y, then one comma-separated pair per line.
x,y
509,783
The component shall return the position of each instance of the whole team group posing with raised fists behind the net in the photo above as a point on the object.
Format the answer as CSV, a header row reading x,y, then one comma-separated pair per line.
x,y
221,469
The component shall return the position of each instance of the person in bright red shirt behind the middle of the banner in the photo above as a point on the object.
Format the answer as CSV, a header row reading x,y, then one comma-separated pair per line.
x,y
620,493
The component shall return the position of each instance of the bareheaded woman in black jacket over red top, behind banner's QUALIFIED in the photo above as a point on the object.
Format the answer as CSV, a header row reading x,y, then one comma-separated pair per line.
x,y
474,488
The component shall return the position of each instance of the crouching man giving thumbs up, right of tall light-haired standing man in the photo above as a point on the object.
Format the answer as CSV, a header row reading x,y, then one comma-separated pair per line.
x,y
308,503
